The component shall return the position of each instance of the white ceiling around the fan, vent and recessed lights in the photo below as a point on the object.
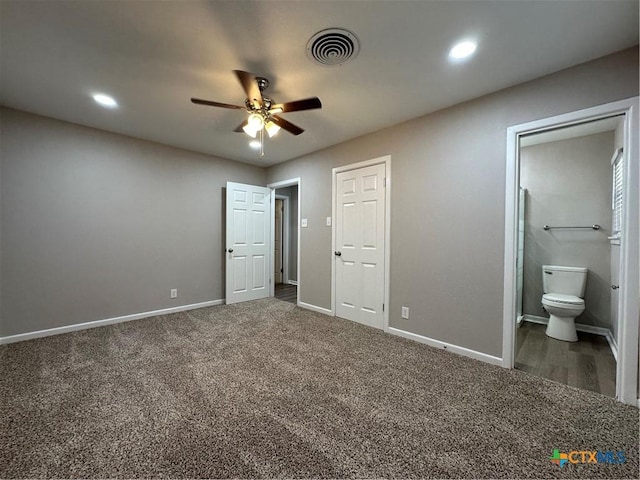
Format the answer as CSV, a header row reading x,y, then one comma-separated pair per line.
x,y
154,56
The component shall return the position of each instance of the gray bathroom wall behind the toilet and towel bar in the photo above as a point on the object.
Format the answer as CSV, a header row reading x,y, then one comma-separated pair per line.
x,y
569,183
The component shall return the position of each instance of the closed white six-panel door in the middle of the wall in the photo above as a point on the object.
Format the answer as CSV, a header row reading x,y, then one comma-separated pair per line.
x,y
359,255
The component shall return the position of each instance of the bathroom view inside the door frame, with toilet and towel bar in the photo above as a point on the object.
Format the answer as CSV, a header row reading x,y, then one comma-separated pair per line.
x,y
569,254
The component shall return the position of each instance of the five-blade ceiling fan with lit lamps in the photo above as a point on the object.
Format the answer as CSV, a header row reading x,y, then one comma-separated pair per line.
x,y
263,111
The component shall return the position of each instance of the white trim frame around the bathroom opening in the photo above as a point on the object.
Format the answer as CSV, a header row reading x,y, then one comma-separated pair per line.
x,y
629,308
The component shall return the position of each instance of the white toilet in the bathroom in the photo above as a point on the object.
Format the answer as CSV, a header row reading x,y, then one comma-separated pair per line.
x,y
563,291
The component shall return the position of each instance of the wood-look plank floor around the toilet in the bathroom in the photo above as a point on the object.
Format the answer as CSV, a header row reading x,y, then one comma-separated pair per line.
x,y
587,363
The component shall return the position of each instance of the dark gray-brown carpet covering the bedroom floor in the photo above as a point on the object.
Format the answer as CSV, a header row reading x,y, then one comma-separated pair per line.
x,y
266,389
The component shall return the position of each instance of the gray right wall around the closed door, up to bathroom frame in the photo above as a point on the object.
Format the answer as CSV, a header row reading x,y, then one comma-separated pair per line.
x,y
447,201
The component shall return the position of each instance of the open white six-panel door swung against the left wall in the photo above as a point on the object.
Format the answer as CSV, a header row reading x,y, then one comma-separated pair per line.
x,y
248,242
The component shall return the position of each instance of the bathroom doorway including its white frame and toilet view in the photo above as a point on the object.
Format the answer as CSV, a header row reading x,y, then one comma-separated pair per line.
x,y
572,201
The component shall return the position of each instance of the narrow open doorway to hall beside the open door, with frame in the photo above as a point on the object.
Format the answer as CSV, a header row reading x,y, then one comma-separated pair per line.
x,y
285,235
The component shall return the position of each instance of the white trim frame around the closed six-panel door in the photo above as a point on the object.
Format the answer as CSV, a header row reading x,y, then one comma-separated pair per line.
x,y
386,160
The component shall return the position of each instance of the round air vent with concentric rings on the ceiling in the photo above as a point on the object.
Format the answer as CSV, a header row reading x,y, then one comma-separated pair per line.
x,y
333,46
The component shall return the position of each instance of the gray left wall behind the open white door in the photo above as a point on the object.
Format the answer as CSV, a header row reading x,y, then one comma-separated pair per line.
x,y
97,225
